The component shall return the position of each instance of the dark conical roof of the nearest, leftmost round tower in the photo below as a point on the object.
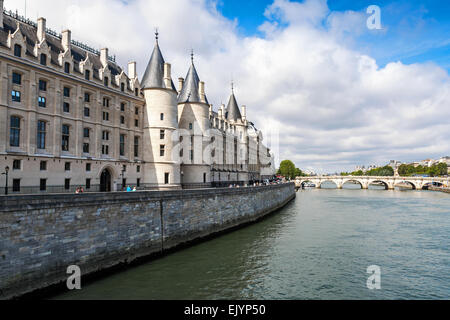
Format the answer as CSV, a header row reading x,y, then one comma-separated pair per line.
x,y
154,74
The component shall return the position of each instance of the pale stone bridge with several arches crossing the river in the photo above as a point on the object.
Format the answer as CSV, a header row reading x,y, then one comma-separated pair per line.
x,y
417,183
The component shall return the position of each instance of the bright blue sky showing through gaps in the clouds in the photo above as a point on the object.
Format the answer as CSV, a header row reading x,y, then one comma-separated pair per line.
x,y
414,31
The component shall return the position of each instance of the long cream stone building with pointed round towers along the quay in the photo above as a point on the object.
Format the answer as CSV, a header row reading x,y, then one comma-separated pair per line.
x,y
71,117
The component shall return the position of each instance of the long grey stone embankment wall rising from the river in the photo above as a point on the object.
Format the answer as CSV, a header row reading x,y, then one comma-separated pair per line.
x,y
41,235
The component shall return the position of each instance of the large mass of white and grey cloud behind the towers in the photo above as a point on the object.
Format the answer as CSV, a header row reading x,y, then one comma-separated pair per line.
x,y
333,105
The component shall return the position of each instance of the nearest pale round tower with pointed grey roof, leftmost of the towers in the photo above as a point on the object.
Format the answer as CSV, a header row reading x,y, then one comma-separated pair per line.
x,y
162,171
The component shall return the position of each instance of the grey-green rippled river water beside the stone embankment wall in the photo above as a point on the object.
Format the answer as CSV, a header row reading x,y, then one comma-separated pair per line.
x,y
318,247
